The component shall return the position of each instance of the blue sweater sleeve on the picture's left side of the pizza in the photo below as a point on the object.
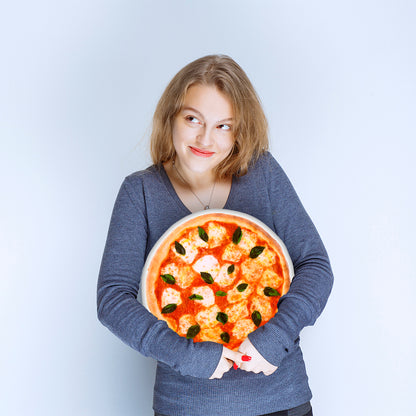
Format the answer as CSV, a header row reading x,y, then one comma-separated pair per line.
x,y
118,285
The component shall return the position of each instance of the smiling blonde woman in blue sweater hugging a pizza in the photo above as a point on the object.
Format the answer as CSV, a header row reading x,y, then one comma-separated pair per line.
x,y
209,147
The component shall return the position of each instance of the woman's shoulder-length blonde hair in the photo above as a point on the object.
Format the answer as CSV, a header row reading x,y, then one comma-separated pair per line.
x,y
250,129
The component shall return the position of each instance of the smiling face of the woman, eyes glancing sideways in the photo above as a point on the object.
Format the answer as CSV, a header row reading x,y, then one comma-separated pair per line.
x,y
202,131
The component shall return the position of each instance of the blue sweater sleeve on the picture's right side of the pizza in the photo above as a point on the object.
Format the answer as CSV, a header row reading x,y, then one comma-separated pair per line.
x,y
313,278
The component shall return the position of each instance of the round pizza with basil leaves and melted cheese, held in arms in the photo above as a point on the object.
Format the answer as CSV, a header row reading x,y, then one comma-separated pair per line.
x,y
216,276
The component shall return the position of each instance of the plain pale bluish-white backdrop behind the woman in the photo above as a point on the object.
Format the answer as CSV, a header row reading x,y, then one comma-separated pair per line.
x,y
79,81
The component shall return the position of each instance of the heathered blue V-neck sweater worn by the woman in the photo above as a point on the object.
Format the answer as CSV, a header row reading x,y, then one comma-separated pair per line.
x,y
145,207
